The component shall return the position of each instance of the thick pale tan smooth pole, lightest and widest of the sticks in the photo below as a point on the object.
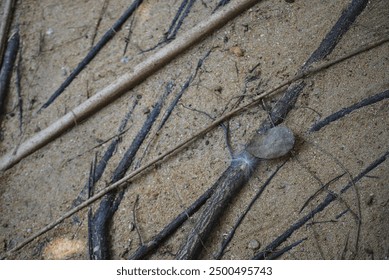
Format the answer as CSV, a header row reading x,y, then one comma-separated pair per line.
x,y
126,82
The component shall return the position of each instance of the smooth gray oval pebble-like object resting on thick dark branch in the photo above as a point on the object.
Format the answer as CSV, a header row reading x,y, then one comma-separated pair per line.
x,y
275,143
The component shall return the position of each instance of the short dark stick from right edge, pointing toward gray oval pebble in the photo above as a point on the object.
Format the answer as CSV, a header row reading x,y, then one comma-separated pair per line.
x,y
343,112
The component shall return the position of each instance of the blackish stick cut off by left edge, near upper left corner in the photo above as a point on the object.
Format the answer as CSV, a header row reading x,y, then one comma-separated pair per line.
x,y
7,66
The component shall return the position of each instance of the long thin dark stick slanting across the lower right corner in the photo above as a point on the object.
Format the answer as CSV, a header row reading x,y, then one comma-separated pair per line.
x,y
327,201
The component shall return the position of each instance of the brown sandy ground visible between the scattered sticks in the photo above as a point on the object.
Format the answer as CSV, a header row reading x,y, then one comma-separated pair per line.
x,y
274,35
